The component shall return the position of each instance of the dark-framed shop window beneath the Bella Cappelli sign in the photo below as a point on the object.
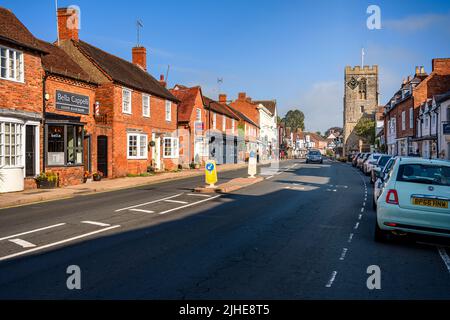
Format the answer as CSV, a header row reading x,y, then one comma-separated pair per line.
x,y
64,145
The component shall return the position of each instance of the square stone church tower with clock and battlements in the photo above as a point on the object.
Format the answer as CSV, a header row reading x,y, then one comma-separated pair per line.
x,y
360,99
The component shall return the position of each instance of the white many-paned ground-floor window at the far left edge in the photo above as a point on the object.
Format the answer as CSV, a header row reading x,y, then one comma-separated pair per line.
x,y
10,144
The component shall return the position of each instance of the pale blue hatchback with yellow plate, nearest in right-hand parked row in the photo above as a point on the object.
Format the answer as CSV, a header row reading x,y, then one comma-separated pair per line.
x,y
415,199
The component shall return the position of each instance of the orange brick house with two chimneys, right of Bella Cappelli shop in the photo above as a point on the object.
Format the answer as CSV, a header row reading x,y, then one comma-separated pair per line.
x,y
139,109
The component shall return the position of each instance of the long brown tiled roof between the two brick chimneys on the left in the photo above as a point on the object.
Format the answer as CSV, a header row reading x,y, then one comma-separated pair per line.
x,y
125,72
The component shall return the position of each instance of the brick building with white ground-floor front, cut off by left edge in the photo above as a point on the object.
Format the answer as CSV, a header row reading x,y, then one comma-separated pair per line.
x,y
21,97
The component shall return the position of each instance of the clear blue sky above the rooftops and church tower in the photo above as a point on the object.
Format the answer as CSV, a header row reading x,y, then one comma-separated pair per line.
x,y
291,51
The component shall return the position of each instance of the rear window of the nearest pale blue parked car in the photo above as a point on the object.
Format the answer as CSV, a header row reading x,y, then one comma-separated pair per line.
x,y
424,173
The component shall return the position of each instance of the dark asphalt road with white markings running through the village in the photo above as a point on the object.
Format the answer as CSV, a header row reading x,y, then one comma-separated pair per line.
x,y
304,233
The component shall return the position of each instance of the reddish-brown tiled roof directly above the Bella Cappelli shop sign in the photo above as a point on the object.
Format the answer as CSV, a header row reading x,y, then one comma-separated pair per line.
x,y
60,63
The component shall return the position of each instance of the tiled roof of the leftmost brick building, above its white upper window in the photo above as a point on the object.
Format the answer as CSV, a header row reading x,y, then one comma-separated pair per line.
x,y
13,31
